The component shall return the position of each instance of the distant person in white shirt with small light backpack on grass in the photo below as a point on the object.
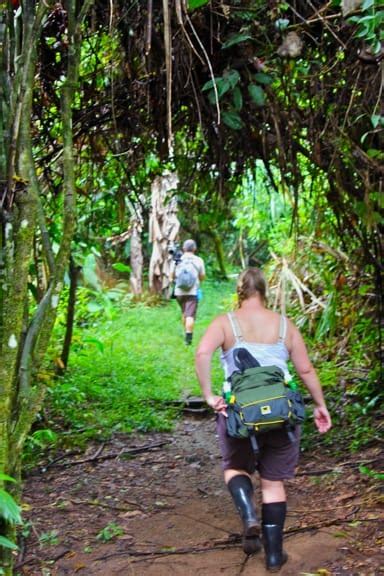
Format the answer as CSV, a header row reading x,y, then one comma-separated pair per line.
x,y
188,274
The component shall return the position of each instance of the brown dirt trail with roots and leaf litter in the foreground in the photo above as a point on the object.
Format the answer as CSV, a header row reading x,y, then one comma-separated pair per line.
x,y
175,517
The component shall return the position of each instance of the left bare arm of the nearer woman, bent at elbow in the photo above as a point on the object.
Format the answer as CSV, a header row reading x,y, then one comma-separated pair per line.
x,y
210,342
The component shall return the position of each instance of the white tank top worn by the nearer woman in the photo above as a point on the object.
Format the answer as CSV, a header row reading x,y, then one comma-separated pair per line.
x,y
275,354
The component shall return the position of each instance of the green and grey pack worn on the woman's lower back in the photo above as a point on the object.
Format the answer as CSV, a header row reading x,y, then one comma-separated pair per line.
x,y
260,401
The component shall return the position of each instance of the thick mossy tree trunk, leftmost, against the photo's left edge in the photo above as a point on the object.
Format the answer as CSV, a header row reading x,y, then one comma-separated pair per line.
x,y
18,223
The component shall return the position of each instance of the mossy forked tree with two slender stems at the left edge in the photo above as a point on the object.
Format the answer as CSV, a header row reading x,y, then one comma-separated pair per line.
x,y
23,344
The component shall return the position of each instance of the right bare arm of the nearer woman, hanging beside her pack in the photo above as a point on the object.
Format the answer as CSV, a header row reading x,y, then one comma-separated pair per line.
x,y
307,373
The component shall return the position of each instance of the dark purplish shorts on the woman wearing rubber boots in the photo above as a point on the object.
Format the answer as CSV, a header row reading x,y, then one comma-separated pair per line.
x,y
277,457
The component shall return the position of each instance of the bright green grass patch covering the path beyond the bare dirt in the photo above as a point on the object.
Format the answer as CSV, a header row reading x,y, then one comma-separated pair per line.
x,y
124,373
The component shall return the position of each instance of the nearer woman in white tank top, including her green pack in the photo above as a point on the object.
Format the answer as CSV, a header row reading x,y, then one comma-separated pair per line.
x,y
258,413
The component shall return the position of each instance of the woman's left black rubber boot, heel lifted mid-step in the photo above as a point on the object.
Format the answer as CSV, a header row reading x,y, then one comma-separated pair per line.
x,y
241,490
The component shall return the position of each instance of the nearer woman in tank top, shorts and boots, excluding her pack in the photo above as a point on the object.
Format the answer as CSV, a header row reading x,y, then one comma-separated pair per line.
x,y
270,339
